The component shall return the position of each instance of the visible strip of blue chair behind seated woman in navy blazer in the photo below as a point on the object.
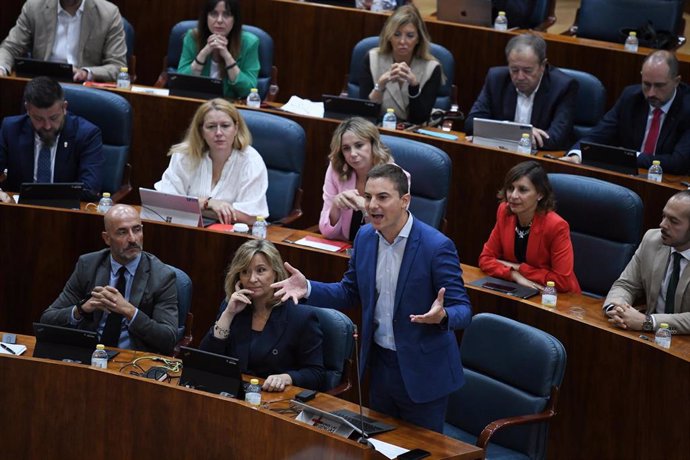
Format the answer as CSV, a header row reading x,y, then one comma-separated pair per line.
x,y
338,344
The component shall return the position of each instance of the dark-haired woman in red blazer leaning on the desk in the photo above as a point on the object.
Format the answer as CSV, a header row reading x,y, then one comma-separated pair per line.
x,y
530,244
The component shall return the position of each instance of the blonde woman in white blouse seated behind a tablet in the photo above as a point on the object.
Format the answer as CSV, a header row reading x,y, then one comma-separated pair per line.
x,y
217,164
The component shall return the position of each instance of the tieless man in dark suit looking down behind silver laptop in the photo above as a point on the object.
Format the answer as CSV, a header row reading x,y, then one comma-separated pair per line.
x,y
530,91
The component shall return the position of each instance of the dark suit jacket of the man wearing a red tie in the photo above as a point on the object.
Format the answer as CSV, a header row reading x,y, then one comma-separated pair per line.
x,y
624,126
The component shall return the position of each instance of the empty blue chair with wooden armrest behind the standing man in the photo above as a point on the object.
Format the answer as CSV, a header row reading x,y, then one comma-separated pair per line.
x,y
512,377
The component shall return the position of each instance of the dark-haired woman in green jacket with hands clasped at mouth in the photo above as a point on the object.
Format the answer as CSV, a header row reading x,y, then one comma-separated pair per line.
x,y
218,48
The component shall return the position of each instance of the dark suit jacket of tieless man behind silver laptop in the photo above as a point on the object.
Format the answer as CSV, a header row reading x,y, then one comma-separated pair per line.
x,y
553,110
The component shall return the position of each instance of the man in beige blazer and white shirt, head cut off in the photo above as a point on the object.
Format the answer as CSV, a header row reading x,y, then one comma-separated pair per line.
x,y
85,33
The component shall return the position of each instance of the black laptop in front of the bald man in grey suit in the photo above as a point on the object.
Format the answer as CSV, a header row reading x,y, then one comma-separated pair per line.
x,y
66,344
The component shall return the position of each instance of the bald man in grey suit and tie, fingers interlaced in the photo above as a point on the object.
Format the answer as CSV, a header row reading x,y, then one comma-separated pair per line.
x,y
125,294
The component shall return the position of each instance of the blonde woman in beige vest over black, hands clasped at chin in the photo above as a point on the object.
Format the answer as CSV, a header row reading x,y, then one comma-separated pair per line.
x,y
401,73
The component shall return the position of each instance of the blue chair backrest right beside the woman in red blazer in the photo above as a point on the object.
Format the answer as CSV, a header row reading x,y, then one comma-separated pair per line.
x,y
605,227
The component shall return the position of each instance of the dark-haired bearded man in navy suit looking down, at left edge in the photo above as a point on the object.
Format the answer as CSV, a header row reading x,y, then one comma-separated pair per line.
x,y
49,144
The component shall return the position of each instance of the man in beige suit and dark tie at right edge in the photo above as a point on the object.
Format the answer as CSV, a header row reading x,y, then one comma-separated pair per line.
x,y
657,274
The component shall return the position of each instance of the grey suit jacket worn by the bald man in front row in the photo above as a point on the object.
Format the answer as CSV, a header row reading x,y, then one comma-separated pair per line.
x,y
153,292
